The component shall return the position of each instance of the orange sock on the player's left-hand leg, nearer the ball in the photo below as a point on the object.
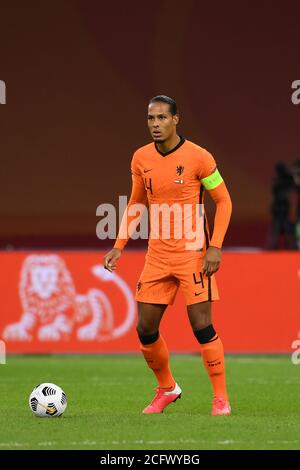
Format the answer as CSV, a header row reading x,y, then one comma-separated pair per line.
x,y
157,357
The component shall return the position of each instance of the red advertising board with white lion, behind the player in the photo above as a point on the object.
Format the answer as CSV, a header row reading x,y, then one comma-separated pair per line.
x,y
258,311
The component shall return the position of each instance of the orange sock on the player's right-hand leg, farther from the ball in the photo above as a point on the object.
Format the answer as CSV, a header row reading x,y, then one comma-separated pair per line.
x,y
214,363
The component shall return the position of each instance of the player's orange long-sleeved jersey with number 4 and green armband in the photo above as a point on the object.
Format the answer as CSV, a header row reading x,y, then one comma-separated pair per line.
x,y
176,180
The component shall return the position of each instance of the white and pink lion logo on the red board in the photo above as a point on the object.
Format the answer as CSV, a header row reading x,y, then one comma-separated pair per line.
x,y
52,310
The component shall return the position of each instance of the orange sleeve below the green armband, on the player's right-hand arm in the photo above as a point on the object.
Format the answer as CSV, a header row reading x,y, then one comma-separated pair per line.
x,y
223,203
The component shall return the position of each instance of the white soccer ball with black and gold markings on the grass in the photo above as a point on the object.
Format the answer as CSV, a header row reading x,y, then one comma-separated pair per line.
x,y
47,401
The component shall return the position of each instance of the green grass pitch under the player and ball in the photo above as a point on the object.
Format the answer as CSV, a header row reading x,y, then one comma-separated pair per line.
x,y
107,393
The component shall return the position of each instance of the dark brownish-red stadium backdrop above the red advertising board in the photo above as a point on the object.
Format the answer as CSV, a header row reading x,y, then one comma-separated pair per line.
x,y
79,75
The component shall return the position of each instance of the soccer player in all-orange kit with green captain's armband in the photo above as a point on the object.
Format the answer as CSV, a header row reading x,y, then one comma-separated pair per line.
x,y
172,170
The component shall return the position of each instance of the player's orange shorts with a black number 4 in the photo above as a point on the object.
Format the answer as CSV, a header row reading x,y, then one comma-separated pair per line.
x,y
161,278
